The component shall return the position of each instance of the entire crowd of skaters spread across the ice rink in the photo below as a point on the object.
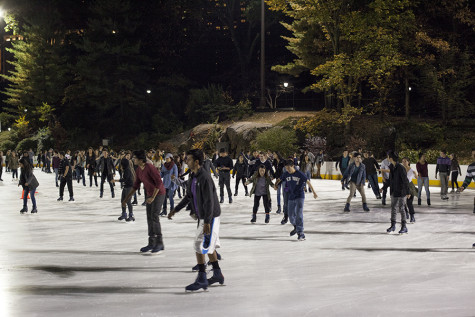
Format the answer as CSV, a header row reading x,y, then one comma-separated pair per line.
x,y
163,176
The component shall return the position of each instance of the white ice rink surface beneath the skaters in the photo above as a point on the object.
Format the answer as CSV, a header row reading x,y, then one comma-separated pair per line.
x,y
77,259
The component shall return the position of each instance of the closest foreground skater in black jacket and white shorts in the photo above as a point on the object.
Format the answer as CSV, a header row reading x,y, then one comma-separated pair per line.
x,y
201,193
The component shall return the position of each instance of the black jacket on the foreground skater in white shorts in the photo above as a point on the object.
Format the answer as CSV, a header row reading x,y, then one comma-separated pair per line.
x,y
206,197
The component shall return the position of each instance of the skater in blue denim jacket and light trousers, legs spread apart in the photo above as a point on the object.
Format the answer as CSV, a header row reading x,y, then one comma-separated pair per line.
x,y
355,175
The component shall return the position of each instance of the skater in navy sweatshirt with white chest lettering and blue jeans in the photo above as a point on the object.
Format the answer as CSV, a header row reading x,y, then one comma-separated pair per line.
x,y
295,181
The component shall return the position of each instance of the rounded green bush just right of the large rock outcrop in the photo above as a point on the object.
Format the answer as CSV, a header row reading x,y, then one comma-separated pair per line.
x,y
277,139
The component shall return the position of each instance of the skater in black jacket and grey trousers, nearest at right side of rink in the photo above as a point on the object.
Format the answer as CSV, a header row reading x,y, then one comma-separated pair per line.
x,y
399,191
